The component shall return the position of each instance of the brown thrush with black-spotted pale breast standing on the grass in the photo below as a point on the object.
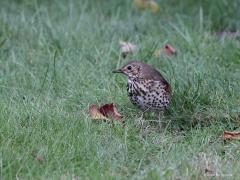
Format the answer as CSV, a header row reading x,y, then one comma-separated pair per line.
x,y
146,87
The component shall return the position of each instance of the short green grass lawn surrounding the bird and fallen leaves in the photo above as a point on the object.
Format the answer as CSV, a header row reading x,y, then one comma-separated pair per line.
x,y
56,60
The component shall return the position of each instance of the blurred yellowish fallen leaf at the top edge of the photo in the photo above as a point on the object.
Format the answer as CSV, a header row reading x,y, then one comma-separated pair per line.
x,y
146,5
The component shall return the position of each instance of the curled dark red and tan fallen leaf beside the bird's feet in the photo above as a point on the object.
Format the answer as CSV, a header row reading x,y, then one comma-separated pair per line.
x,y
106,111
